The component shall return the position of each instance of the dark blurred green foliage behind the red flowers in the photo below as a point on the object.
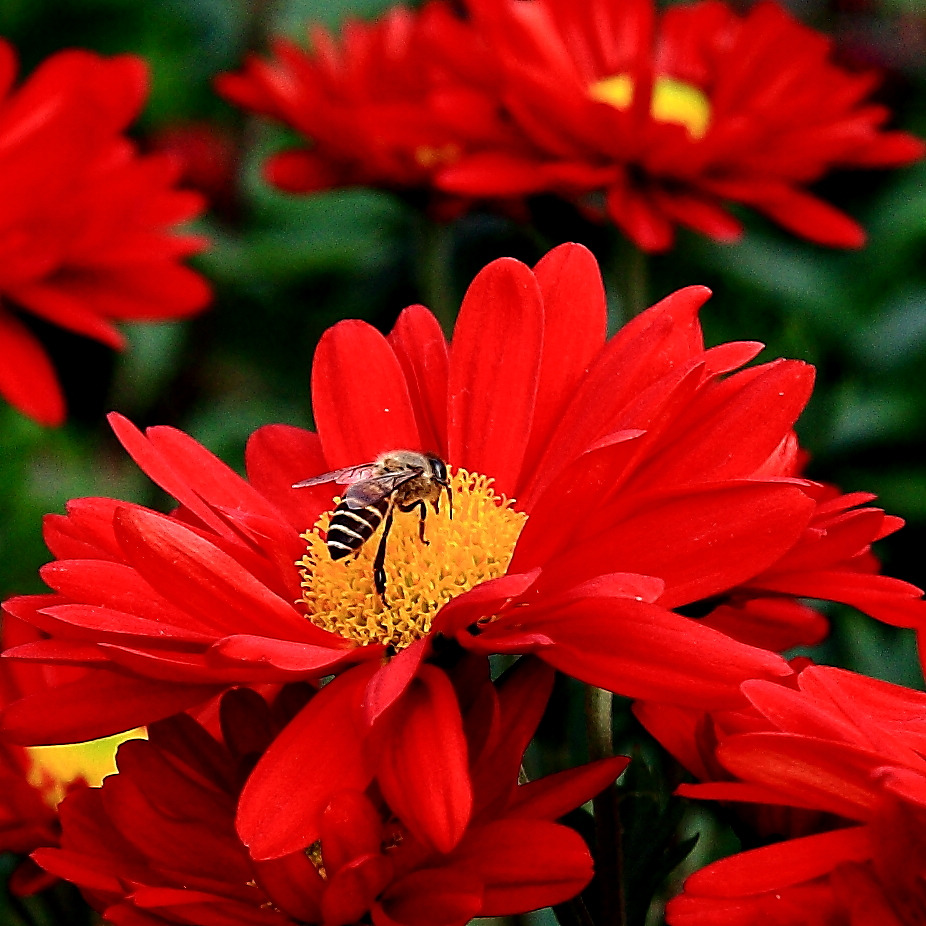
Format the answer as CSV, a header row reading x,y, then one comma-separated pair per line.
x,y
285,268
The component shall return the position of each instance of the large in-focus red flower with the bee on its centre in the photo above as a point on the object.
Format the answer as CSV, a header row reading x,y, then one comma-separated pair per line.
x,y
597,486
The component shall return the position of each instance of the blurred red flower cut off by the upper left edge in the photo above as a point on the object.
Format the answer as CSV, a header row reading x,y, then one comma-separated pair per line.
x,y
87,225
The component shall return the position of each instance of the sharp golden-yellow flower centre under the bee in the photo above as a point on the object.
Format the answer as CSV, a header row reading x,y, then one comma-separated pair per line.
x,y
473,547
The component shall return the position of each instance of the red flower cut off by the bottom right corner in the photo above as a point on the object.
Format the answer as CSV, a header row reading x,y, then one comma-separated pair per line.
x,y
843,755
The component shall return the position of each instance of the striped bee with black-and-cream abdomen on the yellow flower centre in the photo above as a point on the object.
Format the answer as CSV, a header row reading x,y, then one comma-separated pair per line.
x,y
400,479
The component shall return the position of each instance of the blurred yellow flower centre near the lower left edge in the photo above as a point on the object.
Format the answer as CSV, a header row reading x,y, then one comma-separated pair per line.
x,y
54,768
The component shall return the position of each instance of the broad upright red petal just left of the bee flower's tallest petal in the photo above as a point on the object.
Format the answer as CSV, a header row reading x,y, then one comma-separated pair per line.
x,y
494,366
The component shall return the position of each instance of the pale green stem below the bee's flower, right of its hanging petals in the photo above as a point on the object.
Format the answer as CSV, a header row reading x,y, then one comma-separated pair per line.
x,y
609,862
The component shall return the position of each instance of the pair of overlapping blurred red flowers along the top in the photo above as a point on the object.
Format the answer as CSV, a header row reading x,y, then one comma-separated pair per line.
x,y
653,120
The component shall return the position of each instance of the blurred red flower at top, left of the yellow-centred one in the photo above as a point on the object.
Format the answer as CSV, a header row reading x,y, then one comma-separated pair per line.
x,y
362,103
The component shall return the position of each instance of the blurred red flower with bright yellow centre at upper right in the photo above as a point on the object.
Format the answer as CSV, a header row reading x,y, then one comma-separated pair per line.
x,y
659,120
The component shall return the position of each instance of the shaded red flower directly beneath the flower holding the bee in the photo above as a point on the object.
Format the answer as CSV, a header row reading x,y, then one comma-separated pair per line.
x,y
427,826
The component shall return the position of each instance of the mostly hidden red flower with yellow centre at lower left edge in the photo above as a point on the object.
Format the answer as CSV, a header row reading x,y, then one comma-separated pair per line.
x,y
34,780
